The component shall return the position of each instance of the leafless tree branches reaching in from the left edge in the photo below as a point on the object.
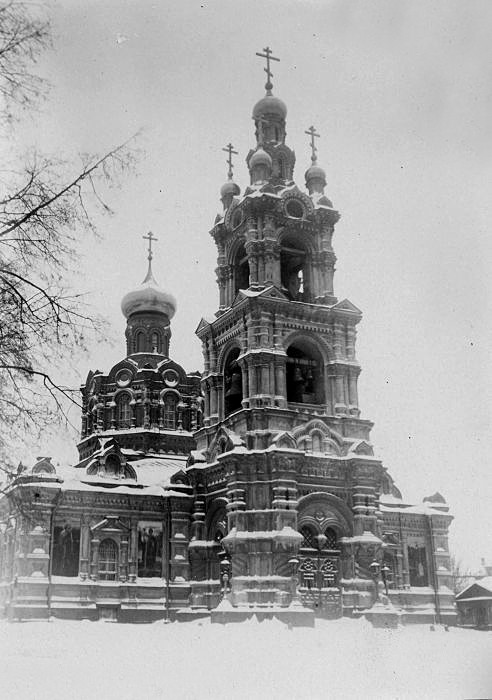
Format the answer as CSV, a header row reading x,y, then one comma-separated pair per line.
x,y
45,205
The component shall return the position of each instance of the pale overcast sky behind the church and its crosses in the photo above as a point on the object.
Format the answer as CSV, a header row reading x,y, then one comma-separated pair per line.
x,y
401,92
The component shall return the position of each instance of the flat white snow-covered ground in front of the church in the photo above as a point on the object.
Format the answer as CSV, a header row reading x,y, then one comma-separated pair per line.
x,y
193,660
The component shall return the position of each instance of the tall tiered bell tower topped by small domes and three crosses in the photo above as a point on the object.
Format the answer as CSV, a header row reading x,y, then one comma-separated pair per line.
x,y
282,434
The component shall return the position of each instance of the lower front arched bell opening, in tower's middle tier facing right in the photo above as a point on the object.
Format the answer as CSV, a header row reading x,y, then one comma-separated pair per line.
x,y
304,374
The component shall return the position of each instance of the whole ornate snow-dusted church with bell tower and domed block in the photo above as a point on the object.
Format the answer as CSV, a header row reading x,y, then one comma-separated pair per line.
x,y
251,488
